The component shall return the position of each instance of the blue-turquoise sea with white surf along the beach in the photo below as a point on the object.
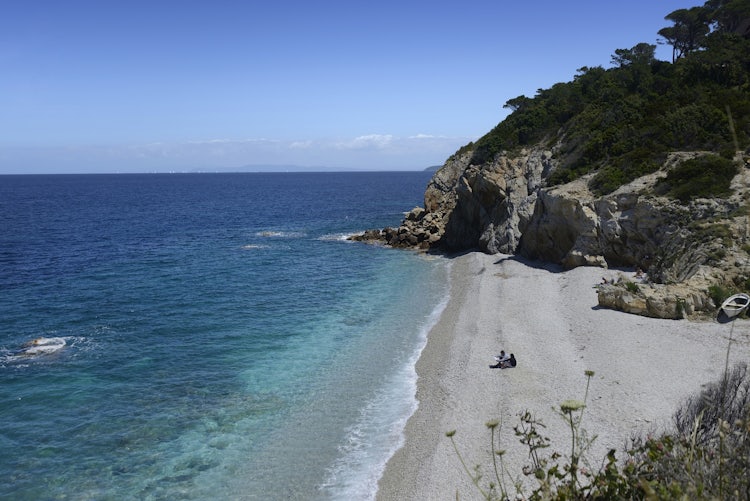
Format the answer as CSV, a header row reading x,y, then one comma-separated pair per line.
x,y
222,338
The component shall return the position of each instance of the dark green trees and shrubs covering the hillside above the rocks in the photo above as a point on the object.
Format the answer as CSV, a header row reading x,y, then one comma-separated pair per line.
x,y
620,123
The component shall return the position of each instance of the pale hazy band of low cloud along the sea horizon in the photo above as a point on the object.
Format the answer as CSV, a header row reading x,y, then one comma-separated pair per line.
x,y
370,151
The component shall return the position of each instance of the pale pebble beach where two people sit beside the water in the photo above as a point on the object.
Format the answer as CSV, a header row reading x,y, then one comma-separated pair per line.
x,y
550,320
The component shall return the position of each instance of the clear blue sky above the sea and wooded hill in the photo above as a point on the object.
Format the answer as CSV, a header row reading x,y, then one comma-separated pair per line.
x,y
98,86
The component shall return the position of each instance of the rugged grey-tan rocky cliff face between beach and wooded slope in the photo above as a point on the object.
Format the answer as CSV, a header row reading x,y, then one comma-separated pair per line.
x,y
504,207
